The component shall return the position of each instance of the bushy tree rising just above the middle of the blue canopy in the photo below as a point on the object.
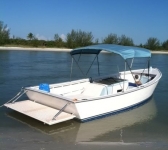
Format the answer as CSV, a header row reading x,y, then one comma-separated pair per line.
x,y
111,39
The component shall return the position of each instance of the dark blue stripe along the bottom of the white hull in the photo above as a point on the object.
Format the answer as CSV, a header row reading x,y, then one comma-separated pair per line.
x,y
116,112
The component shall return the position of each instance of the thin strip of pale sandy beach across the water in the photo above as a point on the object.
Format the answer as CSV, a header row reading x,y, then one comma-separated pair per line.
x,y
57,49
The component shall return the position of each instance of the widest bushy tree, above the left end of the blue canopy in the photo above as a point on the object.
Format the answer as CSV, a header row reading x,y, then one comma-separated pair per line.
x,y
79,38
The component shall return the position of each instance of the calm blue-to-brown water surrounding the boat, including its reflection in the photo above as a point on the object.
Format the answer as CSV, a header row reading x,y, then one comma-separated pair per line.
x,y
144,127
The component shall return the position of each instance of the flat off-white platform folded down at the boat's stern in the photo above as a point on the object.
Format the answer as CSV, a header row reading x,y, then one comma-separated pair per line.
x,y
40,112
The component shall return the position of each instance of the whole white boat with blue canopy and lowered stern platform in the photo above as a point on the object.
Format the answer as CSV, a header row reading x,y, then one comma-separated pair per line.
x,y
90,98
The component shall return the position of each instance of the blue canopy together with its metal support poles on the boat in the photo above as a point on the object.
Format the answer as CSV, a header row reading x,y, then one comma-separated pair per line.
x,y
126,52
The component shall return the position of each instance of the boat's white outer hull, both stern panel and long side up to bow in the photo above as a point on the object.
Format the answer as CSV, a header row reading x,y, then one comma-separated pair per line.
x,y
96,107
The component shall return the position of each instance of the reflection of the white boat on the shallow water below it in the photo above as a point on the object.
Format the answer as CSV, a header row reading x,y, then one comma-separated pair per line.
x,y
73,131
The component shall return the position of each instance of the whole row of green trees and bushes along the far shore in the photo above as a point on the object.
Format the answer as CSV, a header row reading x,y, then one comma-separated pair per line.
x,y
76,38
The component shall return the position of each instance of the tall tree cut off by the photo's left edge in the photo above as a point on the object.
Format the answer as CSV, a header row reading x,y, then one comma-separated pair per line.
x,y
4,33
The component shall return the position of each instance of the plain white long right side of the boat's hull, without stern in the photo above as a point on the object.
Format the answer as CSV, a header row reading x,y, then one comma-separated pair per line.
x,y
97,108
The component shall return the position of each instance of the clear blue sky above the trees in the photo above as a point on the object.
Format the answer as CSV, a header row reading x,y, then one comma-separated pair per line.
x,y
137,19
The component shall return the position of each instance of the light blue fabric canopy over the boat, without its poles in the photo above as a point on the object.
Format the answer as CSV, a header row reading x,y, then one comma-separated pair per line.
x,y
124,51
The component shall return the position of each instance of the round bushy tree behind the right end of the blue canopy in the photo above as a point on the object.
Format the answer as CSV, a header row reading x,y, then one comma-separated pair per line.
x,y
152,43
